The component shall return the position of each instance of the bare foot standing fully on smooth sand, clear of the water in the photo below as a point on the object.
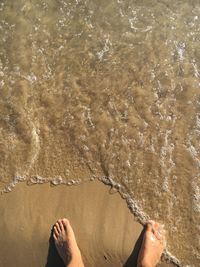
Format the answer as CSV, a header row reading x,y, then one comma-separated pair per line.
x,y
66,244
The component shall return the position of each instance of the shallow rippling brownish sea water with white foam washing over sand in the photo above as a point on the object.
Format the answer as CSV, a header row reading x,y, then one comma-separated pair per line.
x,y
106,90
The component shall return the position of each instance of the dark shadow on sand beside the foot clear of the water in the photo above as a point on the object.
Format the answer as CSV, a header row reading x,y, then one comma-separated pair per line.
x,y
53,258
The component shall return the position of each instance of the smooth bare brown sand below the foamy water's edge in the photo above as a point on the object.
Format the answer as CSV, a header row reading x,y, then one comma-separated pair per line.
x,y
106,231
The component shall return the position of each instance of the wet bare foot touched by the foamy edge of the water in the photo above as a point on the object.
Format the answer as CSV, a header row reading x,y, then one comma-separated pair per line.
x,y
152,246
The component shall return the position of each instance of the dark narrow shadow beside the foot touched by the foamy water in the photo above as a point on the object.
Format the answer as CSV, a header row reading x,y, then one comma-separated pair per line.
x,y
132,260
